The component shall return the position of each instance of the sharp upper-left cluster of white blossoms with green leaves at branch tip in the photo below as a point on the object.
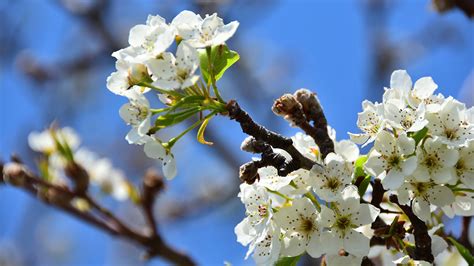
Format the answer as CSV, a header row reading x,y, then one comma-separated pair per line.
x,y
148,64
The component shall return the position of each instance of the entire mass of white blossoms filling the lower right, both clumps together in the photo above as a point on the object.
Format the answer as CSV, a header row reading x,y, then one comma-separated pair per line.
x,y
423,152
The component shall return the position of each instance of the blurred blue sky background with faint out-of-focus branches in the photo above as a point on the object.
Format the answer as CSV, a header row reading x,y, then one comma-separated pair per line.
x,y
55,58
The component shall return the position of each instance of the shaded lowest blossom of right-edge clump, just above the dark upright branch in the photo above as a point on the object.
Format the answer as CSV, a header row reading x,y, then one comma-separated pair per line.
x,y
423,195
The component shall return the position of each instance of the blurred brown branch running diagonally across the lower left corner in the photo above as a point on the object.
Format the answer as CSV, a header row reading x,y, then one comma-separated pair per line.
x,y
61,197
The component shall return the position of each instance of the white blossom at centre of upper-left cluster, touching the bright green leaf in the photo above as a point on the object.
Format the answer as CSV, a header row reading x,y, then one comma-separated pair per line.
x,y
175,73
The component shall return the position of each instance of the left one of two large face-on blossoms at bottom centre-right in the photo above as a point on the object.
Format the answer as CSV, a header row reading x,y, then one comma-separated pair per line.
x,y
300,223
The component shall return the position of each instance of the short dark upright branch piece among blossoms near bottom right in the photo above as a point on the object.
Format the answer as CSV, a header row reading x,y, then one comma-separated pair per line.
x,y
420,231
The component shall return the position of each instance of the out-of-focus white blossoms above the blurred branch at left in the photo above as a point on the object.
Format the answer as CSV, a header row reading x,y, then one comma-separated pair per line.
x,y
58,146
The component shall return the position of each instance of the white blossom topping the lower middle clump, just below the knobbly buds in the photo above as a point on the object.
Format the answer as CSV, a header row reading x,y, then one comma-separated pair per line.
x,y
329,181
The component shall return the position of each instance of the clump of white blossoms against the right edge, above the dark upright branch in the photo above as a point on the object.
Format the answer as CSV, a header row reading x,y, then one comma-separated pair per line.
x,y
424,146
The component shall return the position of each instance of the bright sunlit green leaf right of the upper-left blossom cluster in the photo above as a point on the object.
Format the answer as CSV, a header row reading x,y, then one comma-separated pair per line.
x,y
221,59
